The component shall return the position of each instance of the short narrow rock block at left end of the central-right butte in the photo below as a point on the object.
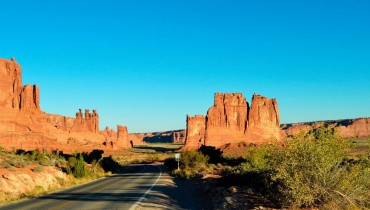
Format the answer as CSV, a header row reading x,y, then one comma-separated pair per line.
x,y
195,132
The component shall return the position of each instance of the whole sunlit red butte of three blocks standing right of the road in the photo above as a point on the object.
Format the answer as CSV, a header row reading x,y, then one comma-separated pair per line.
x,y
231,120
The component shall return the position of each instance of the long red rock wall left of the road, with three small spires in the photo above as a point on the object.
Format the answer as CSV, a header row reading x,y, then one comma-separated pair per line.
x,y
23,125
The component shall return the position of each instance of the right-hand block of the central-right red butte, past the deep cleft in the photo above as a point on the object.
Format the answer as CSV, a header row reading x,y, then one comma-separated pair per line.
x,y
263,120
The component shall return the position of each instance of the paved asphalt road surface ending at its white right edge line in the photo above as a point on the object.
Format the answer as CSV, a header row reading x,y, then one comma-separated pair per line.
x,y
121,191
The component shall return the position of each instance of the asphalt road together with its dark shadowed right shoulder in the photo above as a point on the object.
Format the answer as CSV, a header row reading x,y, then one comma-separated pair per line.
x,y
142,187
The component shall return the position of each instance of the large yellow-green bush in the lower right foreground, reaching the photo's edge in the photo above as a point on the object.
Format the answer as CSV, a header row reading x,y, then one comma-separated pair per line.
x,y
312,170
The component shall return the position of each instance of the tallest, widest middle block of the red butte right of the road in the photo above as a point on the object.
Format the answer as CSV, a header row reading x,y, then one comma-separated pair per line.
x,y
226,120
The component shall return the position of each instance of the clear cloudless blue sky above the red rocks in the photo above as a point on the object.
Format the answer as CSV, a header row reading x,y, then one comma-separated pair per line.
x,y
146,64
